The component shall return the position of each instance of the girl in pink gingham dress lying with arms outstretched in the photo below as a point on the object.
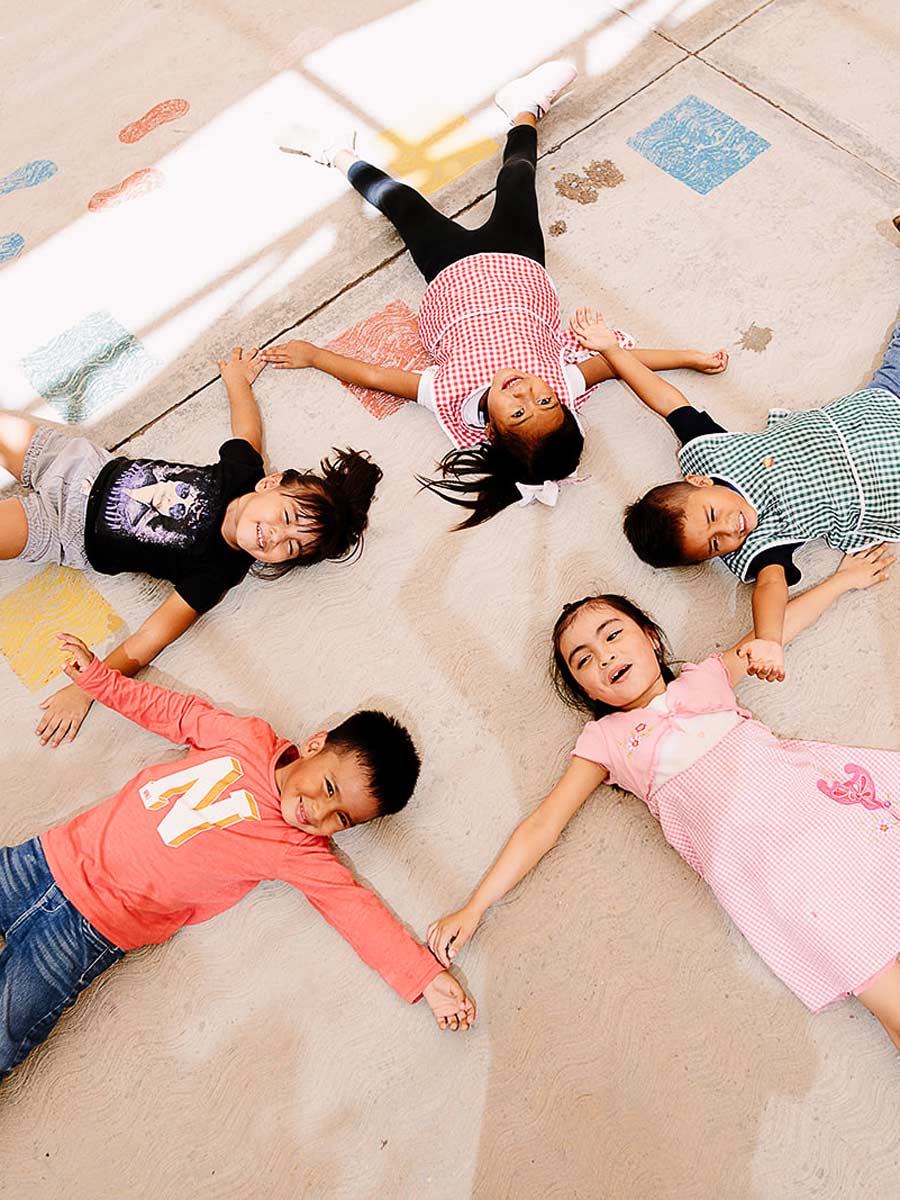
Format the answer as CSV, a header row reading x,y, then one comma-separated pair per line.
x,y
799,841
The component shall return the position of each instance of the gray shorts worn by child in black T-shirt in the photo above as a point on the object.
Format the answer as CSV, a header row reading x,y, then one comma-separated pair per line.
x,y
61,471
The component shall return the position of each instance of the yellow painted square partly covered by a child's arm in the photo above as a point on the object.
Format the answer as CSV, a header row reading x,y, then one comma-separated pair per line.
x,y
32,615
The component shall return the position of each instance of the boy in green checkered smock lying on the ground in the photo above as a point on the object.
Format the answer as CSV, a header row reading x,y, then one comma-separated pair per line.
x,y
755,499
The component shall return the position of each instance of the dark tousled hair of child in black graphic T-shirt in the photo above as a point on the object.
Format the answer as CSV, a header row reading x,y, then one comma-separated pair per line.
x,y
335,505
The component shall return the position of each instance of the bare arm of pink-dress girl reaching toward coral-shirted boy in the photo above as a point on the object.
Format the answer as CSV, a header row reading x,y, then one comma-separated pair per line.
x,y
526,848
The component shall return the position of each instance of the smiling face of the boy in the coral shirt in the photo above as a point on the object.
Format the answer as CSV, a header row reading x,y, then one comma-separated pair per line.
x,y
326,791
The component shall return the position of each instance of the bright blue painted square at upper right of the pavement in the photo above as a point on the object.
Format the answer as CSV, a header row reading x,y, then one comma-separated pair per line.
x,y
699,145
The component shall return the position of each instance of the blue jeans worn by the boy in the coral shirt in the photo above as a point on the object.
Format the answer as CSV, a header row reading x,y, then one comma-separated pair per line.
x,y
52,952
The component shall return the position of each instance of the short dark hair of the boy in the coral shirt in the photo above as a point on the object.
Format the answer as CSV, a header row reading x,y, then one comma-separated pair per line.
x,y
388,753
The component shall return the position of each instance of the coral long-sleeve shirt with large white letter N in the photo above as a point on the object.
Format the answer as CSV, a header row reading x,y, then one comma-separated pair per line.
x,y
184,841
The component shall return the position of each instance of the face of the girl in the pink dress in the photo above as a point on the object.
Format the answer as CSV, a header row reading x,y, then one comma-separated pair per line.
x,y
611,658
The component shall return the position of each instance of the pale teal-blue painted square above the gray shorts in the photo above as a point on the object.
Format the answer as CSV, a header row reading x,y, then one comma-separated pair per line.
x,y
86,368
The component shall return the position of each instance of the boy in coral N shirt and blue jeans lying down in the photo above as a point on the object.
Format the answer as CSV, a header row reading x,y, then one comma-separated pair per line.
x,y
183,842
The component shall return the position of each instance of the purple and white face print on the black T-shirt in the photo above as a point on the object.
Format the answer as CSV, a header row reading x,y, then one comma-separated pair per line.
x,y
163,503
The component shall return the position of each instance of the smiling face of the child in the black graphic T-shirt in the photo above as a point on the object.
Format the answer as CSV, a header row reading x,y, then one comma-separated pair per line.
x,y
269,524
